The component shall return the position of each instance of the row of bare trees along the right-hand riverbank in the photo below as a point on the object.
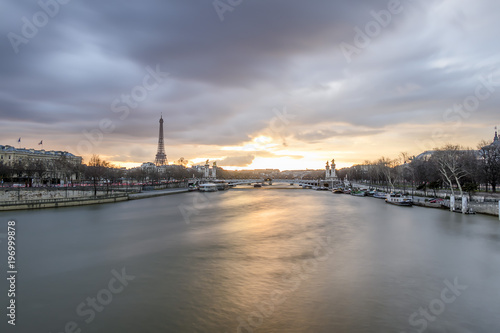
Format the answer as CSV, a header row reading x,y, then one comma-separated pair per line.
x,y
451,167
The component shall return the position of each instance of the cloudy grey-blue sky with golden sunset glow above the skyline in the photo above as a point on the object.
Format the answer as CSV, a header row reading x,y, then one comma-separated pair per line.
x,y
250,83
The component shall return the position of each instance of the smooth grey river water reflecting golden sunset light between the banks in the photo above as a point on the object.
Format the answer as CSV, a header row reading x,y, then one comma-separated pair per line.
x,y
254,260
